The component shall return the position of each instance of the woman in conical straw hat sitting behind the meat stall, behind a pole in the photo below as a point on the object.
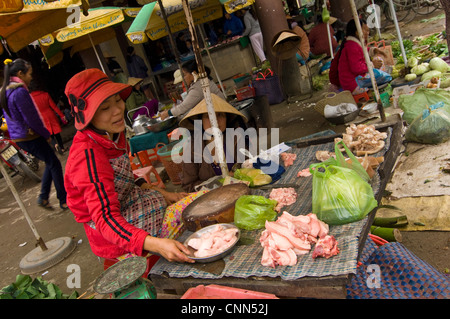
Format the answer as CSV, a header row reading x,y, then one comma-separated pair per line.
x,y
196,172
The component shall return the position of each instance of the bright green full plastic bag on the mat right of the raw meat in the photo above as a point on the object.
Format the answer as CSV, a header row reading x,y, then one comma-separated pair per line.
x,y
340,195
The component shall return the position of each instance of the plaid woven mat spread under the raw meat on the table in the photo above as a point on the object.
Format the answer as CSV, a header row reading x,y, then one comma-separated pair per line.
x,y
245,260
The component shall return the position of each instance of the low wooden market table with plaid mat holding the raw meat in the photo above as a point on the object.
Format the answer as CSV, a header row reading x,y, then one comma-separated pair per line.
x,y
309,277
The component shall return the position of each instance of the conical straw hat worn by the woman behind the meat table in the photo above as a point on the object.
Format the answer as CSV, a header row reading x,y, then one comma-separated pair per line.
x,y
220,106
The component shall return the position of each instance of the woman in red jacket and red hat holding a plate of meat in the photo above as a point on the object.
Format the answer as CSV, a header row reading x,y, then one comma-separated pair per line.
x,y
120,213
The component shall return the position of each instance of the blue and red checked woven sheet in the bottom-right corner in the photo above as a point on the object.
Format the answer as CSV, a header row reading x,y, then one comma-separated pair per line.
x,y
402,275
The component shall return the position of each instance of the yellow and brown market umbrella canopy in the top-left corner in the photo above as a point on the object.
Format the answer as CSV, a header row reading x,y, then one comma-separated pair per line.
x,y
34,20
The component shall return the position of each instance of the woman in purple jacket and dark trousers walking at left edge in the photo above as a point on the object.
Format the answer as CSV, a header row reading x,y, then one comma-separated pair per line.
x,y
26,128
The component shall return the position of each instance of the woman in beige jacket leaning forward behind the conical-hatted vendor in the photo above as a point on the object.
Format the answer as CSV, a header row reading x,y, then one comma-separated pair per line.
x,y
194,92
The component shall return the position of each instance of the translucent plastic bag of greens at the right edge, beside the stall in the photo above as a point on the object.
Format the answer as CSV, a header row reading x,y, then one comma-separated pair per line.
x,y
431,127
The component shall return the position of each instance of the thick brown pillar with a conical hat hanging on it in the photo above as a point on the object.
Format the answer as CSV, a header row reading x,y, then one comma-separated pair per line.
x,y
272,20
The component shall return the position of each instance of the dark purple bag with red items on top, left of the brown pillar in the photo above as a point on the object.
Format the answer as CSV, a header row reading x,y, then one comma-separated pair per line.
x,y
268,83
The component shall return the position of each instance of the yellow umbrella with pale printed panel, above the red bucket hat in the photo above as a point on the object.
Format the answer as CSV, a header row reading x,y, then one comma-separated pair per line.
x,y
91,30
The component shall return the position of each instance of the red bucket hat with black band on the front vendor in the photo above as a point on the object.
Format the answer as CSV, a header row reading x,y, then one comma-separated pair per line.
x,y
87,90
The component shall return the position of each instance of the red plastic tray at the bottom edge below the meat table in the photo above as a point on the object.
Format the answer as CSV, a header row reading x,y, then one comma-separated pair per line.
x,y
223,292
